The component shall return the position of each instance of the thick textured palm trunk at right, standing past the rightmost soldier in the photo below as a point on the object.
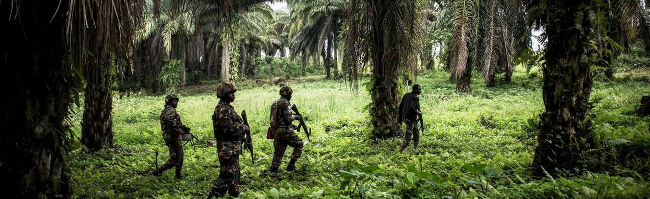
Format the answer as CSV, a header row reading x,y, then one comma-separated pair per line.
x,y
566,89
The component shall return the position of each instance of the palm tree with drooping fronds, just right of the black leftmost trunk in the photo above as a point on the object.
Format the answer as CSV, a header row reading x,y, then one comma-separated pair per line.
x,y
101,45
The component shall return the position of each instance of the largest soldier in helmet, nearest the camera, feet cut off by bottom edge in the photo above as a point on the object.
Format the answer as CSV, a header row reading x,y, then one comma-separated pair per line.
x,y
229,131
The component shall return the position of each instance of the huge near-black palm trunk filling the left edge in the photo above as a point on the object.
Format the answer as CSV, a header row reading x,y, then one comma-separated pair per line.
x,y
37,97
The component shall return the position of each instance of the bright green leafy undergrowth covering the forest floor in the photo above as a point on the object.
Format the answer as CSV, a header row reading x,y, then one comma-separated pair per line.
x,y
460,155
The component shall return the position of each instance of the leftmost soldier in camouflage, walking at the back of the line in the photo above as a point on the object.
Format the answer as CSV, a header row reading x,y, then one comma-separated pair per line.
x,y
170,123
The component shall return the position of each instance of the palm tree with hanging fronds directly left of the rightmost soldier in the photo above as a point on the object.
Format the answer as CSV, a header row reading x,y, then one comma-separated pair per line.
x,y
392,27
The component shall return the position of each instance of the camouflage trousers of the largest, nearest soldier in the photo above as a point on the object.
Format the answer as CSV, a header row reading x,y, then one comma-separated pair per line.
x,y
229,174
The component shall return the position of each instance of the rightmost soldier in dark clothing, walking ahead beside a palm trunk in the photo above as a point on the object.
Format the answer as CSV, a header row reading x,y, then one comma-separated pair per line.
x,y
409,110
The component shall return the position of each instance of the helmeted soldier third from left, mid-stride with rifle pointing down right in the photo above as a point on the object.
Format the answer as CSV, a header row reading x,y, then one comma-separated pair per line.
x,y
283,131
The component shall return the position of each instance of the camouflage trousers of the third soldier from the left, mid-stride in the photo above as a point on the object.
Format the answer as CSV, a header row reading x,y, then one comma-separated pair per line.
x,y
284,137
